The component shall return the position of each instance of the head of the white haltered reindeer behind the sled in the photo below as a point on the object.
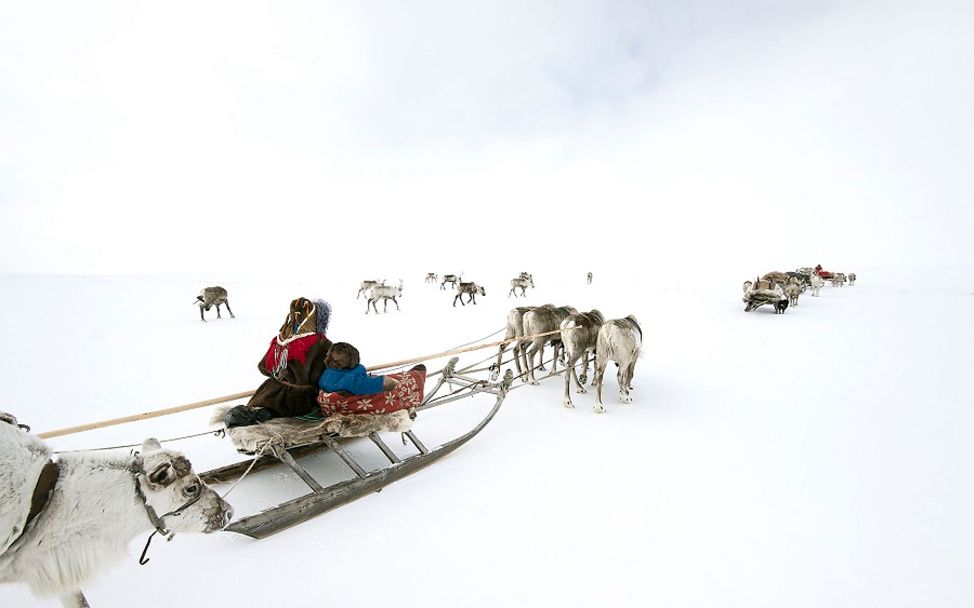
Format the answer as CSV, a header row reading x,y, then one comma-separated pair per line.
x,y
175,493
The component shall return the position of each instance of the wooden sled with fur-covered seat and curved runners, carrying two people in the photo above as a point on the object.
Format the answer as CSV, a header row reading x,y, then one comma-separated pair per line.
x,y
283,440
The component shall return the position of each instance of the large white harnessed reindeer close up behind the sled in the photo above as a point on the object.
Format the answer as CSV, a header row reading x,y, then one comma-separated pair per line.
x,y
63,523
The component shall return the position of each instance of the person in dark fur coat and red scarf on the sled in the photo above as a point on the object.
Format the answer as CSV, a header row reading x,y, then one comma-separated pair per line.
x,y
293,363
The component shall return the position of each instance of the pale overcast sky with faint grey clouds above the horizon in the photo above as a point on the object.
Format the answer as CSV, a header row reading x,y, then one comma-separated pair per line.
x,y
239,136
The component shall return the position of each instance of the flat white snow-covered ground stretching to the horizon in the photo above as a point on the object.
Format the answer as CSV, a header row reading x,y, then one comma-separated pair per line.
x,y
820,458
